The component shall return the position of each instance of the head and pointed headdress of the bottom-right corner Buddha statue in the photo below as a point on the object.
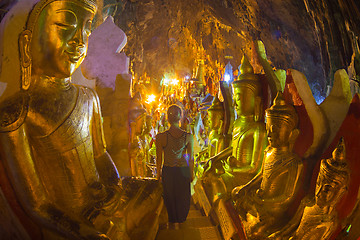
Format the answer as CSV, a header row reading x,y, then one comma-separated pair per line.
x,y
333,178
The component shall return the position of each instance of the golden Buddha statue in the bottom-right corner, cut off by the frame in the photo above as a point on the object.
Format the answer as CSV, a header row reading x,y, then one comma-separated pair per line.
x,y
316,218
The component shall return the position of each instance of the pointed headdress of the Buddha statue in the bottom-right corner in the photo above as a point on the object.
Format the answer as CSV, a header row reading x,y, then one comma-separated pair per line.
x,y
336,168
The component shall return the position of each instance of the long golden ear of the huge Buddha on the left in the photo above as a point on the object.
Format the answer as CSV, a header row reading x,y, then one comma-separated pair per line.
x,y
25,58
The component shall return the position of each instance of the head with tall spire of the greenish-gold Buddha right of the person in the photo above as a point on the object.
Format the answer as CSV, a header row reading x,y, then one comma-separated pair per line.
x,y
247,91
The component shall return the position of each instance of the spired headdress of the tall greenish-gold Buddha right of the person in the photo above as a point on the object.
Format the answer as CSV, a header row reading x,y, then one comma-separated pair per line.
x,y
247,78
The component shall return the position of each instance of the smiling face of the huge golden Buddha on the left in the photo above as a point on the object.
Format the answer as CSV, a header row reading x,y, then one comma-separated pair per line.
x,y
59,38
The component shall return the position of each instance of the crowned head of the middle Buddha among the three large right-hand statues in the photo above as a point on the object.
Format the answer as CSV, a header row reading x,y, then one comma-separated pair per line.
x,y
281,123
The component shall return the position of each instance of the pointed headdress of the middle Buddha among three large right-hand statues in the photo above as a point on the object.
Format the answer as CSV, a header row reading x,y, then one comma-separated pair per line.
x,y
281,110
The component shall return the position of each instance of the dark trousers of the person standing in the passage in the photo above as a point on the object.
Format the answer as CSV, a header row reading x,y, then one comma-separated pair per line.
x,y
176,185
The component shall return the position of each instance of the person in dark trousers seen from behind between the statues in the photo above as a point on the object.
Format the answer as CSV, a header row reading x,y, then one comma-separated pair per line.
x,y
175,167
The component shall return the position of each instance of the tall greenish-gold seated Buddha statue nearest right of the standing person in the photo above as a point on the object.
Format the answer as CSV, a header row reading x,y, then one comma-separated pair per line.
x,y
240,162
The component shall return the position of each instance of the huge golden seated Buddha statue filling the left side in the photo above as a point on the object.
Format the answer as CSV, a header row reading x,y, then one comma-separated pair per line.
x,y
51,133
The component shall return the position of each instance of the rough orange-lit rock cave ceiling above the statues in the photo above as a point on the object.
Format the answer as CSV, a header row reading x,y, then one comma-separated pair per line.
x,y
314,37
